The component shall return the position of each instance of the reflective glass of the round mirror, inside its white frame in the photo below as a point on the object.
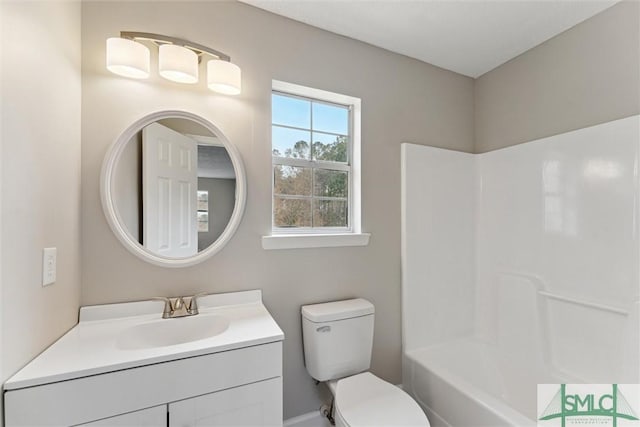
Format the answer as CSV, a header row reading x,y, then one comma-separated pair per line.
x,y
166,224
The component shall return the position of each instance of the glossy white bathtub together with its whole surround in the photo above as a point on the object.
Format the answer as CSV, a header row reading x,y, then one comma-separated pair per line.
x,y
557,272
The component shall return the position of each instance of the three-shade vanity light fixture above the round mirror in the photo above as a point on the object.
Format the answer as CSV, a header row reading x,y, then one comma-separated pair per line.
x,y
178,61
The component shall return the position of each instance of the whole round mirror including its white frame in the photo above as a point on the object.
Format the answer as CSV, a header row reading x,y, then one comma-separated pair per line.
x,y
173,188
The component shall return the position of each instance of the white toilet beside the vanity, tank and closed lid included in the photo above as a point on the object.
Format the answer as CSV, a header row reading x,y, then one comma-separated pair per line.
x,y
338,337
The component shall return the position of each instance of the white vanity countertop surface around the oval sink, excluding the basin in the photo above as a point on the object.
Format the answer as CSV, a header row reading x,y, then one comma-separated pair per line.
x,y
91,348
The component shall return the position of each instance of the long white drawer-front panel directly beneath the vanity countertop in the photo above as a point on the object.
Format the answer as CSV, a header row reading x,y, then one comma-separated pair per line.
x,y
90,398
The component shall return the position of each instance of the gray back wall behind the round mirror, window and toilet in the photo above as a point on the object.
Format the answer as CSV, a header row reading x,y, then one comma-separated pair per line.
x,y
403,100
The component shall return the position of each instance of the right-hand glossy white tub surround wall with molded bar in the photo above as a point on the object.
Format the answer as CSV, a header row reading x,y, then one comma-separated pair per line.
x,y
558,223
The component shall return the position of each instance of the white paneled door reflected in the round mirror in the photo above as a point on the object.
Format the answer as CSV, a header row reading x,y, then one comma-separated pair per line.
x,y
169,188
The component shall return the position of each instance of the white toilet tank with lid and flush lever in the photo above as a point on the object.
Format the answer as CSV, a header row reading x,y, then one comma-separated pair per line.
x,y
338,337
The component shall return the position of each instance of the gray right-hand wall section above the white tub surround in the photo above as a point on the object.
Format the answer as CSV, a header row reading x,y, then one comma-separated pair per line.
x,y
589,74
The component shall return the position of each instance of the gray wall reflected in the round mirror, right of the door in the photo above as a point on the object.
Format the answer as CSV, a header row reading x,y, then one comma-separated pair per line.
x,y
222,198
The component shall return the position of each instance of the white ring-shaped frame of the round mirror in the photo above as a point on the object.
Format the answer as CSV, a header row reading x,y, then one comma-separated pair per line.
x,y
111,213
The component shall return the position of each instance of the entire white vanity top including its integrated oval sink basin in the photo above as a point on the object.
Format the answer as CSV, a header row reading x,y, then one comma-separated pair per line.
x,y
116,337
